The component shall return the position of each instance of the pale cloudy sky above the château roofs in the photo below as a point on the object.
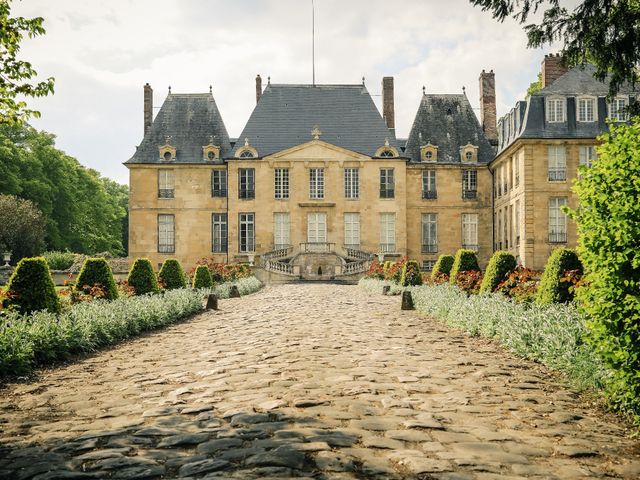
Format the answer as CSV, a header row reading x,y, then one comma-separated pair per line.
x,y
101,53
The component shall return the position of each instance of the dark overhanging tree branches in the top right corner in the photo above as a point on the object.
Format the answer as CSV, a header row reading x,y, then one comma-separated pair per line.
x,y
601,32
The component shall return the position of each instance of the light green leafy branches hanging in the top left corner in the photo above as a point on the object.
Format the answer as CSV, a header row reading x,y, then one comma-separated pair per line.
x,y
15,74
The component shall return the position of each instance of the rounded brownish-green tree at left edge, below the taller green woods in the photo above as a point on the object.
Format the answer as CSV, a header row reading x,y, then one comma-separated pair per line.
x,y
21,228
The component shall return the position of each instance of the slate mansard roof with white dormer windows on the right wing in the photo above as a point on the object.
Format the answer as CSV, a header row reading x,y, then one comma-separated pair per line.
x,y
527,118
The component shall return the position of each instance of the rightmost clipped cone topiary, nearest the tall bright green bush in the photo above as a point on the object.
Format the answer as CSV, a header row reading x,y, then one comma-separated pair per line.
x,y
551,289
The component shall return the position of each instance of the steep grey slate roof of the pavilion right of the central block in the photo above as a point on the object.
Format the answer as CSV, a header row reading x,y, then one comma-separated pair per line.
x,y
448,122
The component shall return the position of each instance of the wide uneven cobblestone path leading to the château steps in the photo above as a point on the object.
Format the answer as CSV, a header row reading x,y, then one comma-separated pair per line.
x,y
317,381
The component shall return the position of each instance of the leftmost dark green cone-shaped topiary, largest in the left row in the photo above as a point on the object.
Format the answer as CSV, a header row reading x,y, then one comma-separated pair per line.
x,y
31,288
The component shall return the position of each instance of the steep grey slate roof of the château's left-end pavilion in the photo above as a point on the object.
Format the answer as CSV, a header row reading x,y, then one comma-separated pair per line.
x,y
189,121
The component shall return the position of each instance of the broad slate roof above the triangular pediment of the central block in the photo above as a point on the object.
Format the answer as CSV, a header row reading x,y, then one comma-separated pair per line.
x,y
286,115
